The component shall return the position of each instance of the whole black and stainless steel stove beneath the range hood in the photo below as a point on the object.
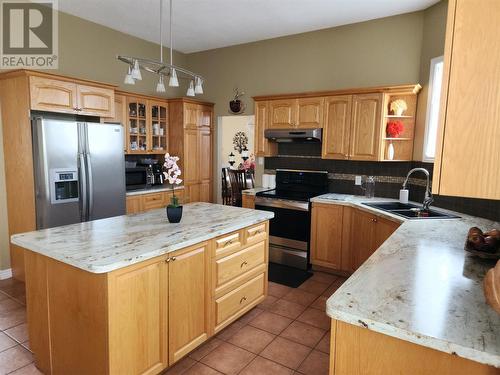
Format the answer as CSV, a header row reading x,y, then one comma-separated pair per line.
x,y
291,226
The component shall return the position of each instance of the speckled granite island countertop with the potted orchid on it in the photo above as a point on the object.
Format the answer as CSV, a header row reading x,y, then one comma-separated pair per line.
x,y
108,244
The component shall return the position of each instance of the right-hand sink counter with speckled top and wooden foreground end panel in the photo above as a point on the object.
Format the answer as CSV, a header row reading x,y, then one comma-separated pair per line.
x,y
417,304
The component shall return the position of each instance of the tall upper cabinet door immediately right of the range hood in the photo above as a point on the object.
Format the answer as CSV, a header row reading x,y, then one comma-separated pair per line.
x,y
337,127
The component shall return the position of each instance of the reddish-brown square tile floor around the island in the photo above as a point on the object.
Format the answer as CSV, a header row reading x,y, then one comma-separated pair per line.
x,y
288,333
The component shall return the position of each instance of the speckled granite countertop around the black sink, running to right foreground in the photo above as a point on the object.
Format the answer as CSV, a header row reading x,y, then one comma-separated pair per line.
x,y
421,286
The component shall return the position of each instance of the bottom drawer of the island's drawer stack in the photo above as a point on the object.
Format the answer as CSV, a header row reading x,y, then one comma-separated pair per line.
x,y
229,304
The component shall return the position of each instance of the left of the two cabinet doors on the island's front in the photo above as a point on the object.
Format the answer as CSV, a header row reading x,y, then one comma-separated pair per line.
x,y
138,331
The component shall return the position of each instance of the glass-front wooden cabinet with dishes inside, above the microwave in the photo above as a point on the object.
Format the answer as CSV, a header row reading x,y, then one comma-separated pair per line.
x,y
146,126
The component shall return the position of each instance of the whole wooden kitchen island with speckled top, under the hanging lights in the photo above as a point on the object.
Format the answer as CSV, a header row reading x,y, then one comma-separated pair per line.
x,y
134,294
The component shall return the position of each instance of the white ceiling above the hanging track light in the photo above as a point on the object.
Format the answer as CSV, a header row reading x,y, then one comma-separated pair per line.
x,y
207,24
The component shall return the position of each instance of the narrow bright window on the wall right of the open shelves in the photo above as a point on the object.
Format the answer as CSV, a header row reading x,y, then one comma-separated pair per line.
x,y
433,99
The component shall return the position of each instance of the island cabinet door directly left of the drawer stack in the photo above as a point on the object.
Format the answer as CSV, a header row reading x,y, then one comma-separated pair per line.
x,y
187,301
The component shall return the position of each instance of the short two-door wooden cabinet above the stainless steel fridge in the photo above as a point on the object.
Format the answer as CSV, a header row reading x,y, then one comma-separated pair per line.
x,y
57,95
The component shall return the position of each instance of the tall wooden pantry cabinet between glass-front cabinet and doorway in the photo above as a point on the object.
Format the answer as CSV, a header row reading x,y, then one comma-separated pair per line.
x,y
191,140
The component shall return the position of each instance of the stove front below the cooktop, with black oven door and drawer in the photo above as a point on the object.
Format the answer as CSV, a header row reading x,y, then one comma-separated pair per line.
x,y
289,231
